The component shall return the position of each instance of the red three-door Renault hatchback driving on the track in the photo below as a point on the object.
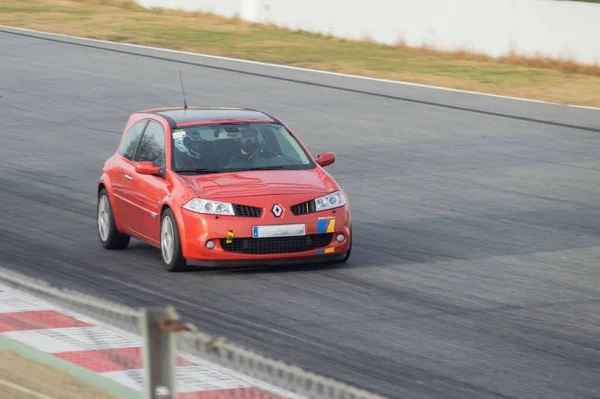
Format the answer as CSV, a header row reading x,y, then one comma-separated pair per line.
x,y
219,186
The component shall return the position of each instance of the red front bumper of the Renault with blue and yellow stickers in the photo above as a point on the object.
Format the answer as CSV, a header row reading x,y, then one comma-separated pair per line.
x,y
319,242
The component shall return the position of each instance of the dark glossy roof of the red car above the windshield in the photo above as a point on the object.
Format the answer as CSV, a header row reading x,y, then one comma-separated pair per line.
x,y
178,116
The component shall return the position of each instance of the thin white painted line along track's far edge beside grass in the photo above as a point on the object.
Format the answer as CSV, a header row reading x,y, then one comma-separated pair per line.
x,y
397,82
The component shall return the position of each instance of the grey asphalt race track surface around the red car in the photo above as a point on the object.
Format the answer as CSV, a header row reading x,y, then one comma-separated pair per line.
x,y
476,266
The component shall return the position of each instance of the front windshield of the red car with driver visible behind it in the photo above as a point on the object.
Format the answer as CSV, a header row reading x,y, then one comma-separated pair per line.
x,y
236,147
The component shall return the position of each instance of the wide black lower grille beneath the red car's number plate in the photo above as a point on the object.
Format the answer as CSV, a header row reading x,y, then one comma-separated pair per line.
x,y
277,245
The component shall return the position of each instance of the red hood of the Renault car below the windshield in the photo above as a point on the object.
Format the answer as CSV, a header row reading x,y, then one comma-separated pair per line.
x,y
254,183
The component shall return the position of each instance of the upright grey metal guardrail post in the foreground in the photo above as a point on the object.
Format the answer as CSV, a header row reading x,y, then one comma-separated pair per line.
x,y
159,353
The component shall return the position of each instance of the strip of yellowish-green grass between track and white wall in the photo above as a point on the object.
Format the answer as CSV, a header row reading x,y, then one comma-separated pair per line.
x,y
125,21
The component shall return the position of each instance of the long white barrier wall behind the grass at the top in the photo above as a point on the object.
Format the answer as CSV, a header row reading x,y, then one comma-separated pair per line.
x,y
533,28
